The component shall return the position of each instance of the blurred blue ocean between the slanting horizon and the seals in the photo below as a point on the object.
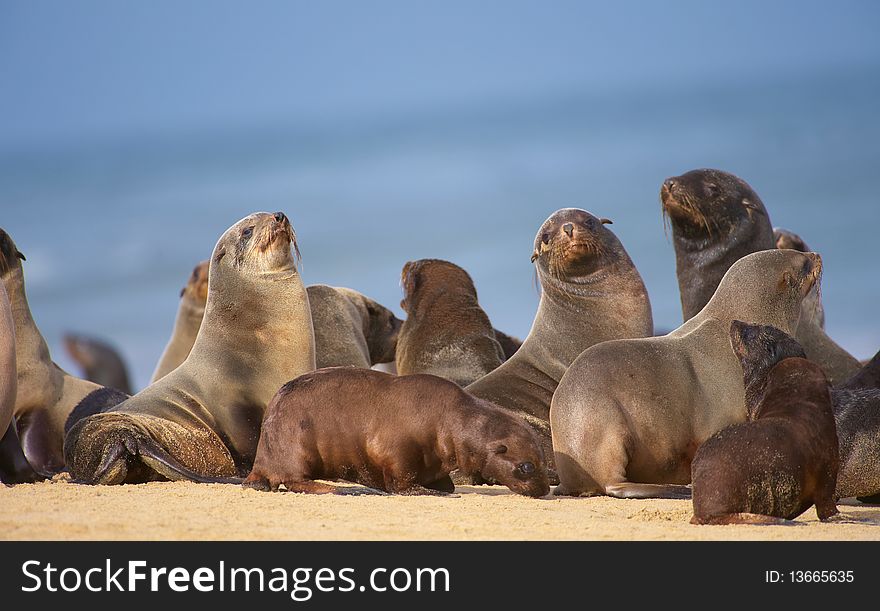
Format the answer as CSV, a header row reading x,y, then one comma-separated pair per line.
x,y
112,227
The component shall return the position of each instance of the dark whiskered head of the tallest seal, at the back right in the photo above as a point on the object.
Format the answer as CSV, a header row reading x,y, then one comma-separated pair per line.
x,y
705,203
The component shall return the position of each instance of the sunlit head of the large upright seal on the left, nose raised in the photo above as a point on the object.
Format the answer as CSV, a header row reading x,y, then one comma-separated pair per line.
x,y
258,244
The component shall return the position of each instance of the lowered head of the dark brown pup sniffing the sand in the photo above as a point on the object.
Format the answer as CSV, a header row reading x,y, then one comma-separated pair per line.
x,y
514,458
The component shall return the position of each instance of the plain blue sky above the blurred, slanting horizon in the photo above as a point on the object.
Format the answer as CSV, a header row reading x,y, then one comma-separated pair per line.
x,y
76,71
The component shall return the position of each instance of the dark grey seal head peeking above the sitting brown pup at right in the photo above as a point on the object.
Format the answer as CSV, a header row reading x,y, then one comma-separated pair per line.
x,y
759,348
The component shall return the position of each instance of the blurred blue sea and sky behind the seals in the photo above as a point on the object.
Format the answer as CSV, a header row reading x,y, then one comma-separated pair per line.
x,y
133,134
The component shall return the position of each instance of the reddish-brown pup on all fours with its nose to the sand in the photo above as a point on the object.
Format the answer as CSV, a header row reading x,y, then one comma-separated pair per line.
x,y
398,434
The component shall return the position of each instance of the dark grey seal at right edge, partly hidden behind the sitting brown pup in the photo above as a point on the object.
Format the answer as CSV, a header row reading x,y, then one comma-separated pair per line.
x,y
856,410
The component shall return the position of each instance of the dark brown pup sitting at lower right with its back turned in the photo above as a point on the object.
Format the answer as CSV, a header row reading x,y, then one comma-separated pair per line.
x,y
784,459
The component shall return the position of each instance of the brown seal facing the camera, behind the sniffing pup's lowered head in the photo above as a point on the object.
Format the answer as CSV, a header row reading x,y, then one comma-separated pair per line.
x,y
590,293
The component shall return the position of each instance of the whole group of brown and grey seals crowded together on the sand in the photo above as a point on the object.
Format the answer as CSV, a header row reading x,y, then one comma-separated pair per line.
x,y
267,383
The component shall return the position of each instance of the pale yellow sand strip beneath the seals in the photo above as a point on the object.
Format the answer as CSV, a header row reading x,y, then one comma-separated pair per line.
x,y
187,511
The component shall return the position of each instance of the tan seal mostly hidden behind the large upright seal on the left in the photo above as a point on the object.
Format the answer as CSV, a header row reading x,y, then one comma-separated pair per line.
x,y
190,312
